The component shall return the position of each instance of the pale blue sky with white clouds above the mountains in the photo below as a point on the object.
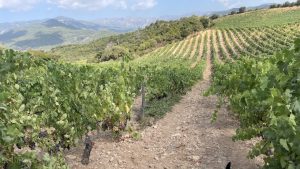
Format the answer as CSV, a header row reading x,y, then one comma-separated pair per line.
x,y
20,10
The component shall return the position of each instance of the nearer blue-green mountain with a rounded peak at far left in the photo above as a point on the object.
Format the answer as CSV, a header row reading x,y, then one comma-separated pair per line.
x,y
49,33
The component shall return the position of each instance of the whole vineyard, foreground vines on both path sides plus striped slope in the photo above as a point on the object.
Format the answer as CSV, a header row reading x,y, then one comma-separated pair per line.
x,y
47,107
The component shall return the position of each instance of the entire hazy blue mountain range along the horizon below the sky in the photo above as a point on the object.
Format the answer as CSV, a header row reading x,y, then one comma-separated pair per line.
x,y
49,33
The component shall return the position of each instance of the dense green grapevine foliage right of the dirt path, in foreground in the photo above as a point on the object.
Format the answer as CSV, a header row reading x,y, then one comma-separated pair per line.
x,y
264,94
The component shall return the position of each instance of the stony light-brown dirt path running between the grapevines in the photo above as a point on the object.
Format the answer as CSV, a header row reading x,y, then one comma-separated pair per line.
x,y
184,138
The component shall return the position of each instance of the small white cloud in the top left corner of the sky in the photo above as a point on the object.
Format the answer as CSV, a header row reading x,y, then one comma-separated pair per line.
x,y
17,4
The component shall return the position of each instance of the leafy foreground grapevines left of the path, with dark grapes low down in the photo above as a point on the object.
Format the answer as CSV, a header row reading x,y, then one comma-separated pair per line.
x,y
46,106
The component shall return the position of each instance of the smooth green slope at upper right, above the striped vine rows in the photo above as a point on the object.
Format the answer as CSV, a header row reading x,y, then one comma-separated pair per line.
x,y
264,17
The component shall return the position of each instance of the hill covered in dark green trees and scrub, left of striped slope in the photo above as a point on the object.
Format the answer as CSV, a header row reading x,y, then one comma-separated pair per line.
x,y
135,43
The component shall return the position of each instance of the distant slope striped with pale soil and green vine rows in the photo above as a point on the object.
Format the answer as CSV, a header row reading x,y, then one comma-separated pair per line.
x,y
229,43
